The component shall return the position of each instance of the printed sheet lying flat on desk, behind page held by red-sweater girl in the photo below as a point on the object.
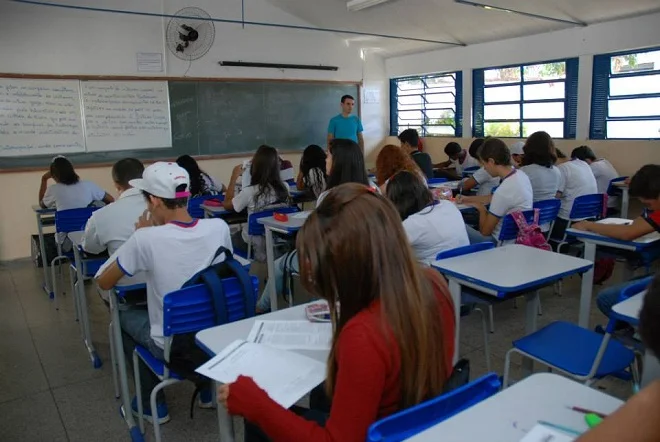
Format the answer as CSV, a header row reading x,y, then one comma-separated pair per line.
x,y
292,335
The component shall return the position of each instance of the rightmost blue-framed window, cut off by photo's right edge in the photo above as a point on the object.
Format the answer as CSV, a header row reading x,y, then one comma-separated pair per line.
x,y
625,96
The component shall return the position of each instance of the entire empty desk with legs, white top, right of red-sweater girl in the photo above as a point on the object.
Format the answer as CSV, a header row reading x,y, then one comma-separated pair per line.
x,y
511,270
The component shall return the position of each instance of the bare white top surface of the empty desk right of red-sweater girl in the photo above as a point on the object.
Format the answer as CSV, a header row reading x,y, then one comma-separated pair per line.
x,y
511,268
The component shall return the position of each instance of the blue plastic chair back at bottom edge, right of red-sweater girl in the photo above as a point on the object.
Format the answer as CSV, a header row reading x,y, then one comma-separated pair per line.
x,y
414,420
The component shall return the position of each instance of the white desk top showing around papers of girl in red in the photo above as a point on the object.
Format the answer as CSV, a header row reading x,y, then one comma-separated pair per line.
x,y
214,340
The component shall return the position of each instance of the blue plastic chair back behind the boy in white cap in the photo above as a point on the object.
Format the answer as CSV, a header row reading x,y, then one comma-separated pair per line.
x,y
191,309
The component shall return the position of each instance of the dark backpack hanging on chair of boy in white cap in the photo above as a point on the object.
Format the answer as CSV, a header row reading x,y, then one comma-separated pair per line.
x,y
185,354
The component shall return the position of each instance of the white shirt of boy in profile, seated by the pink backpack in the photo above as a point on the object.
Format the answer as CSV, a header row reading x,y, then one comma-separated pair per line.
x,y
513,194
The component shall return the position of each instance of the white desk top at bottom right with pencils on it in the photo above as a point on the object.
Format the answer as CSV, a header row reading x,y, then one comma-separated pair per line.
x,y
510,414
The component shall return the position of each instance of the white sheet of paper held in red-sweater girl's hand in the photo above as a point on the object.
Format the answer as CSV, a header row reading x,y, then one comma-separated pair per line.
x,y
285,376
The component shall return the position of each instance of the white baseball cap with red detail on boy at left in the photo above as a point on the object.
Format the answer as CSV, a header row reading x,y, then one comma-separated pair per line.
x,y
161,179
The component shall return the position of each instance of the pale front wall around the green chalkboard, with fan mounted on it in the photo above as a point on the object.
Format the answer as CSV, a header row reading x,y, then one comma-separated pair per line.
x,y
48,40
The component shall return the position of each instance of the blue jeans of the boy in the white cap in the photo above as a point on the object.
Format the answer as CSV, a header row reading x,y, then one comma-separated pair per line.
x,y
136,330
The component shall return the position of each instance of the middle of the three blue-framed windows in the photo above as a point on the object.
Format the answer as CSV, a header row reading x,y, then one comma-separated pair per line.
x,y
516,101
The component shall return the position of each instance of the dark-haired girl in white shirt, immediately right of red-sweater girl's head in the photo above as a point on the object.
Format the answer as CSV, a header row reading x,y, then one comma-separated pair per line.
x,y
431,226
